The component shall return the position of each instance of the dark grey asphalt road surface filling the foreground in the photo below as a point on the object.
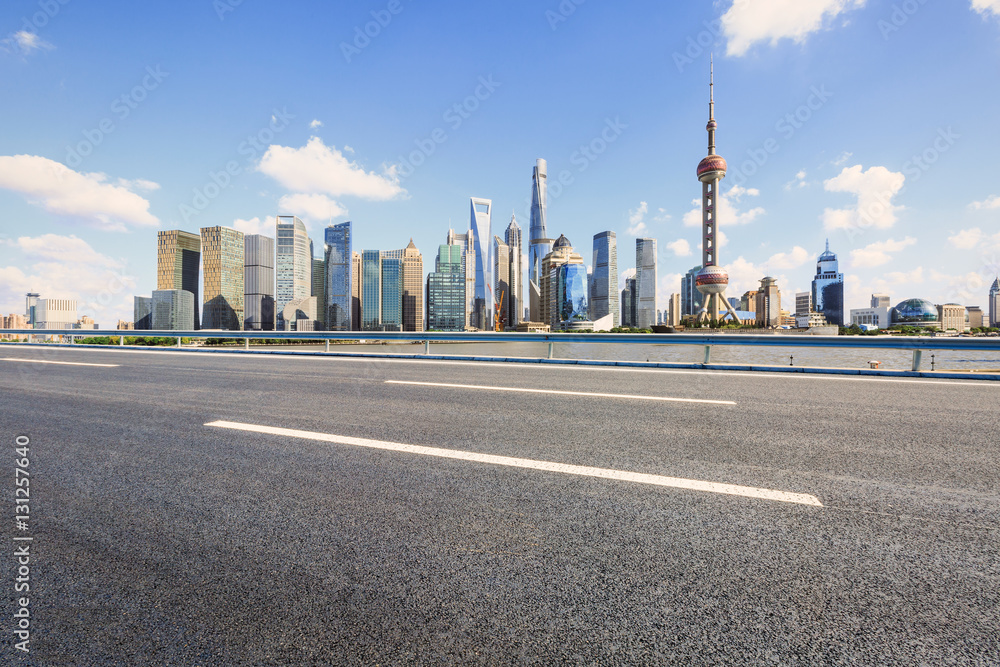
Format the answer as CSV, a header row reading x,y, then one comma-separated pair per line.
x,y
160,540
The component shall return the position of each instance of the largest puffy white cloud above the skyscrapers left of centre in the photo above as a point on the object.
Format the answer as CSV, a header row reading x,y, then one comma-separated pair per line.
x,y
318,169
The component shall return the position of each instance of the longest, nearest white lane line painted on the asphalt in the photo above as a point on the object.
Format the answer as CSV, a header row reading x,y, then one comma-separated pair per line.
x,y
605,473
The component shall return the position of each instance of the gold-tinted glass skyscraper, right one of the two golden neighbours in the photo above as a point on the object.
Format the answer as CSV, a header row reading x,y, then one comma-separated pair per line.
x,y
222,254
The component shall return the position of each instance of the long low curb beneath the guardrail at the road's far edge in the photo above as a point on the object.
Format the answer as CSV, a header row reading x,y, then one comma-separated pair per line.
x,y
939,375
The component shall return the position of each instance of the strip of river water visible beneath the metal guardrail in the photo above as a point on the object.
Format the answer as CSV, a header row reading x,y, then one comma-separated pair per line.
x,y
721,354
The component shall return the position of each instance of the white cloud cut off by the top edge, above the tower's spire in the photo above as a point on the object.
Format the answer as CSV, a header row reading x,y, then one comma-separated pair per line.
x,y
746,23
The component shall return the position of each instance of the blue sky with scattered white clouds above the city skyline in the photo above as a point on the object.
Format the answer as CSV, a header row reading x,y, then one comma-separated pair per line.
x,y
865,121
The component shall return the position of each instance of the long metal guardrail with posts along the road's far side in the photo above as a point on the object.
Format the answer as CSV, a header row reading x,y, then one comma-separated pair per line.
x,y
917,344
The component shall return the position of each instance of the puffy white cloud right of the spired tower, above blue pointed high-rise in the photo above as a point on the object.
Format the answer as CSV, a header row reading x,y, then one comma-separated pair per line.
x,y
874,190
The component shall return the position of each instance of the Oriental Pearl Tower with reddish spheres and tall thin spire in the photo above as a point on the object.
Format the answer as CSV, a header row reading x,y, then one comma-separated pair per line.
x,y
712,280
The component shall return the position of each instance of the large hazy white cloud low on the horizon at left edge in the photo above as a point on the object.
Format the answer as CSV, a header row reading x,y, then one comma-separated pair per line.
x,y
67,267
